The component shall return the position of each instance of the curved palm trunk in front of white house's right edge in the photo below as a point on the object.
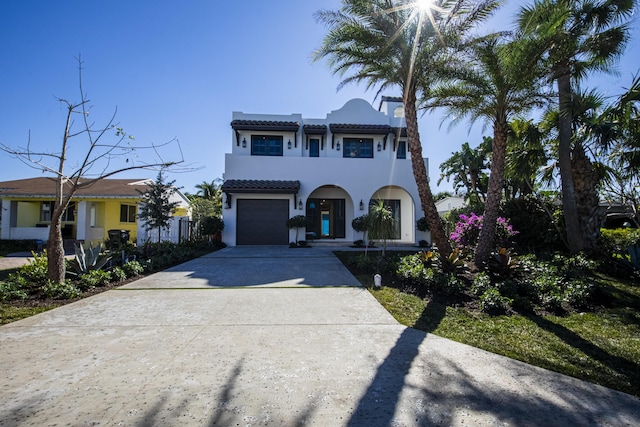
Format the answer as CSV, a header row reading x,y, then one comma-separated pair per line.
x,y
436,227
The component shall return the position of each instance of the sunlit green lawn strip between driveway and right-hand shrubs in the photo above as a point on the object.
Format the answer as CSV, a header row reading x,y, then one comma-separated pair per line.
x,y
601,346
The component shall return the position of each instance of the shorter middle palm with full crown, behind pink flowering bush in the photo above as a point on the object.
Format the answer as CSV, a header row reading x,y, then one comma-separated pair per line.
x,y
493,85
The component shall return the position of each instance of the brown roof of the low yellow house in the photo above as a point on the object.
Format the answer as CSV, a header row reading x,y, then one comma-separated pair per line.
x,y
45,187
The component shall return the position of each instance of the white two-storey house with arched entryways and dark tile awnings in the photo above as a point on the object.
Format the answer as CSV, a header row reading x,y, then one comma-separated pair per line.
x,y
328,169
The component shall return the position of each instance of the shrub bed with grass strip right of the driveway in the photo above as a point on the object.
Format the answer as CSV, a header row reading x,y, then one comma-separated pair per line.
x,y
557,312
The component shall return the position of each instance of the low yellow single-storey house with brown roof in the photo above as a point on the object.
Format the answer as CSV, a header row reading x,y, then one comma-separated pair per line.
x,y
109,204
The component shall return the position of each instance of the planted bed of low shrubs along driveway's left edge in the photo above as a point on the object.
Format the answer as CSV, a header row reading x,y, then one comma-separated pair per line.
x,y
27,290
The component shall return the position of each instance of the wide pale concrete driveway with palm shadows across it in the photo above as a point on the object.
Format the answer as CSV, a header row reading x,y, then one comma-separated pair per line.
x,y
260,336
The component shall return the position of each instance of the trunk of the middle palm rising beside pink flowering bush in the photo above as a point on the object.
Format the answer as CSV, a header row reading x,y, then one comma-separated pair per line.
x,y
494,194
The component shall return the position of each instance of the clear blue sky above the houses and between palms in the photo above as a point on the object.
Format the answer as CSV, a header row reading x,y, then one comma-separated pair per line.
x,y
178,70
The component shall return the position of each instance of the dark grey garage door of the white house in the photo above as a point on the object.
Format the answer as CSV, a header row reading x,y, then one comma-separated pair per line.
x,y
262,222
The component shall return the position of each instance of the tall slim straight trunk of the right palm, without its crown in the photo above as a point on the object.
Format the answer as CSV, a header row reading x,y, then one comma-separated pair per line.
x,y
565,134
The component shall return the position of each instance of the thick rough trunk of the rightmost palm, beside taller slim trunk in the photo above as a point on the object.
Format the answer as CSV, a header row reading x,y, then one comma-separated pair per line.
x,y
587,201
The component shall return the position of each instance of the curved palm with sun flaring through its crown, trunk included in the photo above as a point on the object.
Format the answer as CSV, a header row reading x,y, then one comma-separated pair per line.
x,y
396,43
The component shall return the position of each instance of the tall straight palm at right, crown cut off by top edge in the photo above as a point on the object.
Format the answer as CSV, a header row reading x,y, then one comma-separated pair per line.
x,y
573,38
